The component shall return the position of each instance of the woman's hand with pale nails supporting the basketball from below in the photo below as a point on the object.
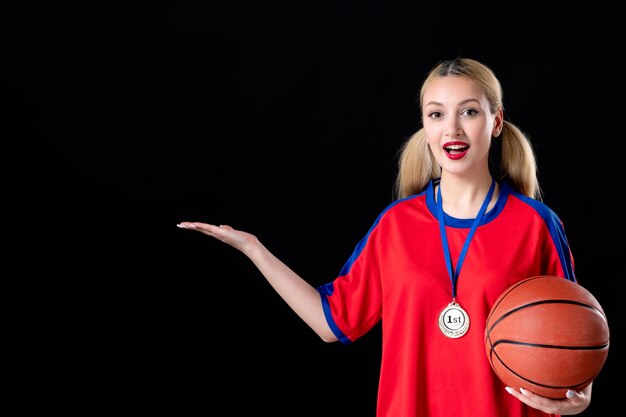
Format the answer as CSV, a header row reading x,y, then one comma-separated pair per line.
x,y
575,403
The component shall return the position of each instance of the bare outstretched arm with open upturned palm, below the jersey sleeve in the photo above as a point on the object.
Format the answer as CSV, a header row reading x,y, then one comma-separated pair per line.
x,y
303,298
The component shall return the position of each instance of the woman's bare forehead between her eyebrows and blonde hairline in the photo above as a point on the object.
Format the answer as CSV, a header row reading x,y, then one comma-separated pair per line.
x,y
452,90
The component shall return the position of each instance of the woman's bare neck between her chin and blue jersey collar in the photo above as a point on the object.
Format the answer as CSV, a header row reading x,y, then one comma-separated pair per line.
x,y
463,198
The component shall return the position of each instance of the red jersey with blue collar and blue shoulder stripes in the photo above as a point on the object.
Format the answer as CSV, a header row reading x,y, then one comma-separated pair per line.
x,y
397,274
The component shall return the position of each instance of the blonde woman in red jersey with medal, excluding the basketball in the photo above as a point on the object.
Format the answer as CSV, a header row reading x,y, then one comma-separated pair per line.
x,y
467,223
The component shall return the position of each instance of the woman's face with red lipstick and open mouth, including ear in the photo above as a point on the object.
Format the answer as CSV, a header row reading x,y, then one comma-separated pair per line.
x,y
459,125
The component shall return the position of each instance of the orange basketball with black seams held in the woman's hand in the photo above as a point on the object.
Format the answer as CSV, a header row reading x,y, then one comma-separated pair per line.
x,y
548,335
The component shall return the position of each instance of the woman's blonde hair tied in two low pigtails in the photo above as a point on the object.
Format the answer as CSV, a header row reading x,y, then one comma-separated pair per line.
x,y
512,159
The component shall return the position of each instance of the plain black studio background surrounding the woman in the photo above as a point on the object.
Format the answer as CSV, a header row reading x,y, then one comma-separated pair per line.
x,y
122,118
